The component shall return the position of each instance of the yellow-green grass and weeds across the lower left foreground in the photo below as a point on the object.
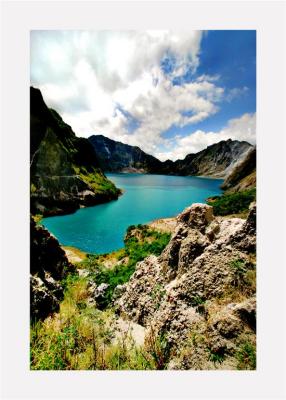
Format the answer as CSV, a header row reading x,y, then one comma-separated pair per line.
x,y
81,337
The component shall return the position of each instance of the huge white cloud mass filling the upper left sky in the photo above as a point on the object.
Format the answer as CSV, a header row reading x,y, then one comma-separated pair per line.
x,y
115,83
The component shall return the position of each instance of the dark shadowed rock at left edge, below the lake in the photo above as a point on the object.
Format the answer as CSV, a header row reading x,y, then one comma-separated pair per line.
x,y
48,266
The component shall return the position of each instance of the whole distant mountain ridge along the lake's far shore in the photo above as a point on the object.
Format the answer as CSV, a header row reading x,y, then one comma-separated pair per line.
x,y
216,160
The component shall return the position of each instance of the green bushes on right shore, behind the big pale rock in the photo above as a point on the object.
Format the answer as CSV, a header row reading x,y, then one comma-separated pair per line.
x,y
233,203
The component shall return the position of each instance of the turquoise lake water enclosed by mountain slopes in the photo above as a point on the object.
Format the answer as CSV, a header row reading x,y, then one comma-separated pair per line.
x,y
101,229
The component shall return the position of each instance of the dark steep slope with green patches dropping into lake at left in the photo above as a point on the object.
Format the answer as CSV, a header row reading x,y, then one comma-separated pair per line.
x,y
65,172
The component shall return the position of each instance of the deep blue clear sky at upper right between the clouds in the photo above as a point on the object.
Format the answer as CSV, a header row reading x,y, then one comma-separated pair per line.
x,y
230,55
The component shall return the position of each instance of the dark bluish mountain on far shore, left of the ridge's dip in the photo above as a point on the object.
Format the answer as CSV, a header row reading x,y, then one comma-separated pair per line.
x,y
115,156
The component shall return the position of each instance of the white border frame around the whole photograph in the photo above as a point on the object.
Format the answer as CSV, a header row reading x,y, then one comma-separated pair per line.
x,y
18,18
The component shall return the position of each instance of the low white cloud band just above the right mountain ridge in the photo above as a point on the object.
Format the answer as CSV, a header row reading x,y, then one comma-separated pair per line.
x,y
243,128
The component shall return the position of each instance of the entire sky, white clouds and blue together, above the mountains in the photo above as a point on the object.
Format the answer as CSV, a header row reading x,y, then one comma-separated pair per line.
x,y
170,93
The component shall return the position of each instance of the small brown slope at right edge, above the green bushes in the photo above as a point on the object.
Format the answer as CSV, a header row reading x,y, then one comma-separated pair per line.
x,y
243,175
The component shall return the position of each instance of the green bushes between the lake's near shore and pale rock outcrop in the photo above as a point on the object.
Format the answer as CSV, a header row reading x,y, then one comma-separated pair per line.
x,y
140,242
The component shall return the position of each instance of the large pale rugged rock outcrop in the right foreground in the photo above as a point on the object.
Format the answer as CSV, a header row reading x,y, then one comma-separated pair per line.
x,y
199,294
